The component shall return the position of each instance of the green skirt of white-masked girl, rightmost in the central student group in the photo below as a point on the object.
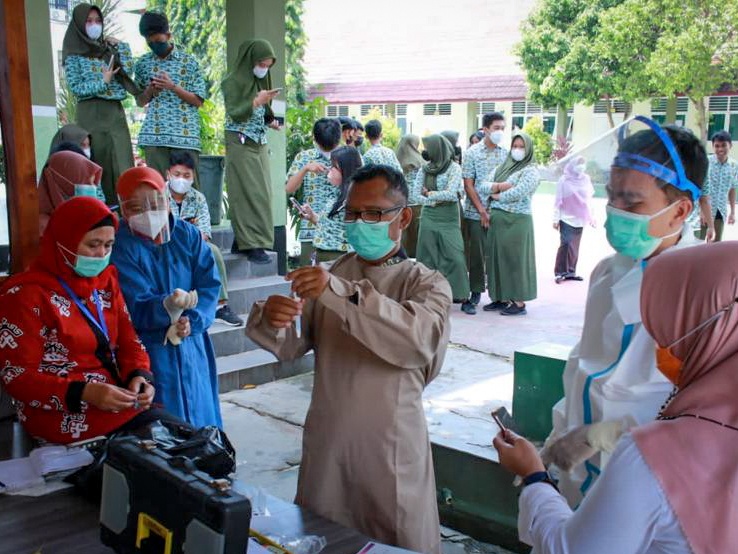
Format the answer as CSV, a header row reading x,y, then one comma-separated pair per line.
x,y
511,257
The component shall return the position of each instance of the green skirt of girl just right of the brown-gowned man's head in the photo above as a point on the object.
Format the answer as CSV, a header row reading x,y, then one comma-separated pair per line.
x,y
441,247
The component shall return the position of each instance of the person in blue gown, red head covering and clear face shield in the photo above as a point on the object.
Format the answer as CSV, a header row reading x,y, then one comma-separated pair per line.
x,y
169,280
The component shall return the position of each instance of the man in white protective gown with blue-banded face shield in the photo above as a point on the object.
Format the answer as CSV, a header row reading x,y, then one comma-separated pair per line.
x,y
611,381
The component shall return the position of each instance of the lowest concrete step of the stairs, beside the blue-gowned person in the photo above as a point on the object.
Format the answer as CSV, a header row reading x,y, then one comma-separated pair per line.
x,y
257,367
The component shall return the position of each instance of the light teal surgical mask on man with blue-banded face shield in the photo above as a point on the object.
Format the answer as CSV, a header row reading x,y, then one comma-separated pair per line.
x,y
628,233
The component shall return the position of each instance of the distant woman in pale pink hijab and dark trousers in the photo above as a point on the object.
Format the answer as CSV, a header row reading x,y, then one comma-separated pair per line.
x,y
572,211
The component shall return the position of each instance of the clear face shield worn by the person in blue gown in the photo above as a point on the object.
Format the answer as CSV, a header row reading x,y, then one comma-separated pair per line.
x,y
147,214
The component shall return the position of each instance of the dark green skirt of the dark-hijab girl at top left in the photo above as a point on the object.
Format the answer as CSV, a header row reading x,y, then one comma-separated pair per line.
x,y
110,140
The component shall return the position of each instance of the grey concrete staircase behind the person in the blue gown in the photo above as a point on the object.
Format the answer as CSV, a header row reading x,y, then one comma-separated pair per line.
x,y
240,361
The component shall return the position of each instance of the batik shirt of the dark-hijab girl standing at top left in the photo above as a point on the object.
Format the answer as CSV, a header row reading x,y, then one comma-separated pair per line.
x,y
85,75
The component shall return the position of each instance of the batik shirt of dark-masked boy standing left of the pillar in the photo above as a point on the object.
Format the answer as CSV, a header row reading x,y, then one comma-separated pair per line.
x,y
170,121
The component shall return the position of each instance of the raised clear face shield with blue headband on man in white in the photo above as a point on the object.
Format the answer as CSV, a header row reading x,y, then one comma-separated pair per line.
x,y
638,144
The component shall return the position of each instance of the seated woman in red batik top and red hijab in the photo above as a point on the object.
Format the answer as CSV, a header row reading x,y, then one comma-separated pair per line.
x,y
69,355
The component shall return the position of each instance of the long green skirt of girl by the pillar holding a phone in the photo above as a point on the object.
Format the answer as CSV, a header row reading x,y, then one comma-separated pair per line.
x,y
249,192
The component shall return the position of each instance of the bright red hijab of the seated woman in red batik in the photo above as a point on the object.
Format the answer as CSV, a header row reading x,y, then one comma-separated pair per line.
x,y
67,226
